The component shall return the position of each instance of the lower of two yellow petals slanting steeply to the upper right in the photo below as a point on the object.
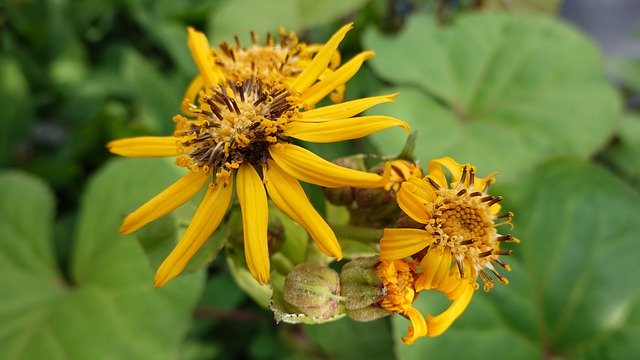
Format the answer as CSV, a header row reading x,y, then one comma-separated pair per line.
x,y
323,87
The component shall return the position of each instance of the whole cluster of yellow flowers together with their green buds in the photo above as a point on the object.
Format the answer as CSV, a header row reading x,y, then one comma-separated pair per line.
x,y
242,114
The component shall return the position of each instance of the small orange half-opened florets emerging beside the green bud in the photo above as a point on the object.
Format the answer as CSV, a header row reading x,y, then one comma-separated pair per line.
x,y
398,278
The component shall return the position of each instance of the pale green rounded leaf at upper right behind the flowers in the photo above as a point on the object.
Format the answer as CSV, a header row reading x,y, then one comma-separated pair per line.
x,y
502,91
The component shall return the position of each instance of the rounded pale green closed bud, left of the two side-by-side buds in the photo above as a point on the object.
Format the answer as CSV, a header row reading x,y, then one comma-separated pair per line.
x,y
313,289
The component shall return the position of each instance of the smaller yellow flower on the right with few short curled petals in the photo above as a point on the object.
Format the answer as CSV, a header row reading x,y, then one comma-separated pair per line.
x,y
454,238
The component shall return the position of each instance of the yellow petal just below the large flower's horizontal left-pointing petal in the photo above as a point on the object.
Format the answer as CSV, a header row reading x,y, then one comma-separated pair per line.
x,y
165,202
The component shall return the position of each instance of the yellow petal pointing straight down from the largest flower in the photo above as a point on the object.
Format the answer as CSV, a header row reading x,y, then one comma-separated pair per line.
x,y
255,219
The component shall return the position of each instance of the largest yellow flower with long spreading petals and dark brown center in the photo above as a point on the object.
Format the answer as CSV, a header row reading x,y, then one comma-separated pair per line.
x,y
242,129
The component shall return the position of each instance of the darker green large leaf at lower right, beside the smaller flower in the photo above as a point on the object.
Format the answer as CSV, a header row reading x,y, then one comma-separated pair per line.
x,y
573,290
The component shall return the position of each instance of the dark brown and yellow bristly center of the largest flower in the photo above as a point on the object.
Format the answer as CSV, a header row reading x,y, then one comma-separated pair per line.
x,y
235,124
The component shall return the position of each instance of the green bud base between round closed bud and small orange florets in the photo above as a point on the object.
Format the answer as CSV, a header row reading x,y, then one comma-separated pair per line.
x,y
362,289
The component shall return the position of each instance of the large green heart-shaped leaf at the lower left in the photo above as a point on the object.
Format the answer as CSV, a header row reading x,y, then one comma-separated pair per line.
x,y
106,307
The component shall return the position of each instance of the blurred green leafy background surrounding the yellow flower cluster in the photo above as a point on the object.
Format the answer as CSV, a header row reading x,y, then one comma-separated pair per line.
x,y
510,86
